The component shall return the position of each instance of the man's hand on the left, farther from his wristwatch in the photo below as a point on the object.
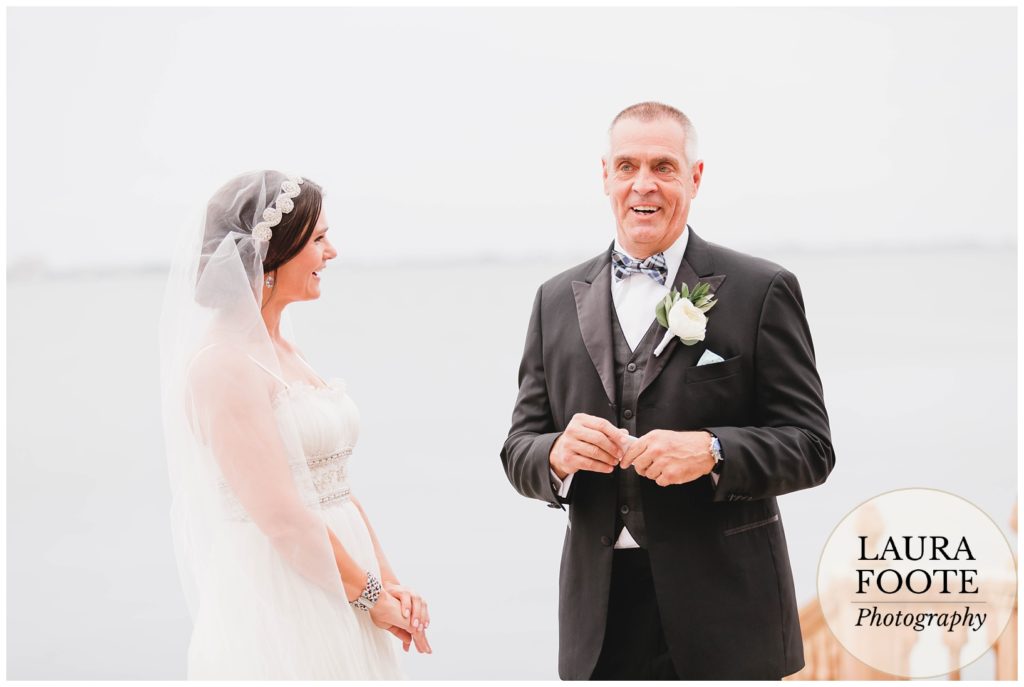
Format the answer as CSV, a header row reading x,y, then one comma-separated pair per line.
x,y
588,444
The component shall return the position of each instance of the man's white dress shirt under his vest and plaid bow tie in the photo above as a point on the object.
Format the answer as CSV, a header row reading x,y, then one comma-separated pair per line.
x,y
635,299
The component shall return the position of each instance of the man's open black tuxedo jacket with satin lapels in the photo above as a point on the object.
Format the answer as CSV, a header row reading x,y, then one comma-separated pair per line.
x,y
718,554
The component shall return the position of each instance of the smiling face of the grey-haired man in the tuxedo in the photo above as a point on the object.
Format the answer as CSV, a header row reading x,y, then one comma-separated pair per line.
x,y
651,184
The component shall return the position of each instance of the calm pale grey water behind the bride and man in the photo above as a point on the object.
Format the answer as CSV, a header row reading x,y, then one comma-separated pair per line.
x,y
917,353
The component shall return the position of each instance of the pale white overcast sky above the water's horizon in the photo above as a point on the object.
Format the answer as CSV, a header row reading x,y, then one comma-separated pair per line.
x,y
479,133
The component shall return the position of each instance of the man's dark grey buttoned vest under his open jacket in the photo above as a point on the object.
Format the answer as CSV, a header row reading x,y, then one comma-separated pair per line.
x,y
630,368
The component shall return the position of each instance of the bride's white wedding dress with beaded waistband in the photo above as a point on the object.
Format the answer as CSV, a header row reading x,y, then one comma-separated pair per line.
x,y
323,637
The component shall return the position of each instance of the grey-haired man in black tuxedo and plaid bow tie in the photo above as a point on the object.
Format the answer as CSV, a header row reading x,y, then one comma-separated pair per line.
x,y
675,564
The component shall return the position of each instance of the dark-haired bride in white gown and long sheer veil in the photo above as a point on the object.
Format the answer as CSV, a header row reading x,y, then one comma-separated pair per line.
x,y
283,573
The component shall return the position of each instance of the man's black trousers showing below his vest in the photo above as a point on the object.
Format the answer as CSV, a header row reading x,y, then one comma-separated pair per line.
x,y
634,647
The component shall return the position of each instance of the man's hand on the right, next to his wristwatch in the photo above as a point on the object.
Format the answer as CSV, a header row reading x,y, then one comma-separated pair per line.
x,y
671,458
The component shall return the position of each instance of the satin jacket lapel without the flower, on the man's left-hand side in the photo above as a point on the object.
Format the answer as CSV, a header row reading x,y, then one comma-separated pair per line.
x,y
594,311
